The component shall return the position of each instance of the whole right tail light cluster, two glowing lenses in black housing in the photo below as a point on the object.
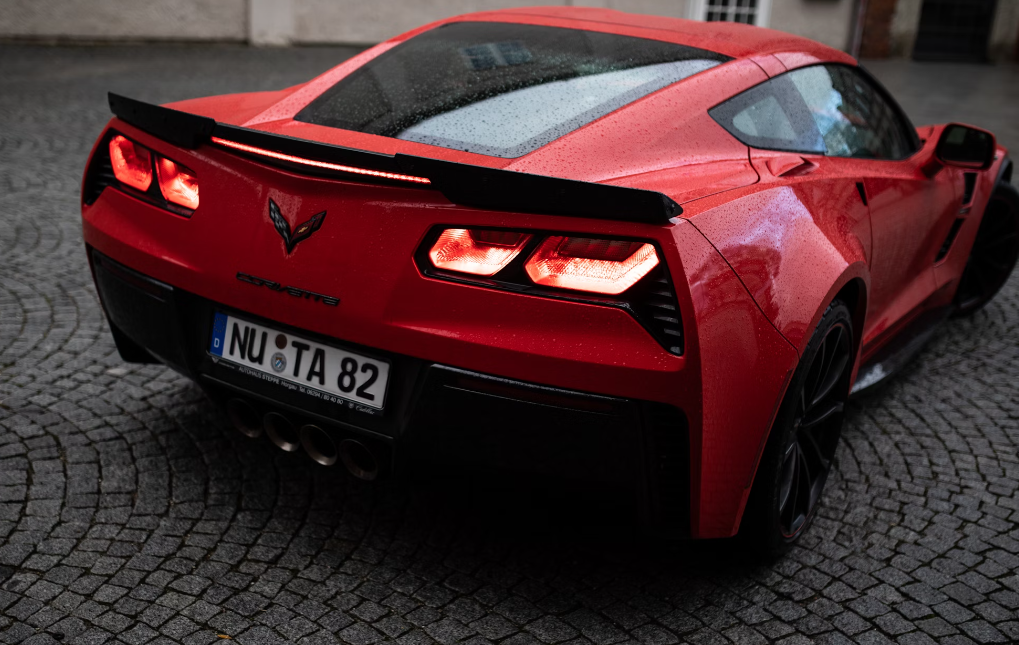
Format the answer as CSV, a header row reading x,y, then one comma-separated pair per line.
x,y
627,275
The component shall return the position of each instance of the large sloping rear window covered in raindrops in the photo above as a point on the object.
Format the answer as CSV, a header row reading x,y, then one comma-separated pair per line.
x,y
501,89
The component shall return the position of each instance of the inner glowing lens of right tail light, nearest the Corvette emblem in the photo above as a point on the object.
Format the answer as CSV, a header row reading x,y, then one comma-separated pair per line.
x,y
477,252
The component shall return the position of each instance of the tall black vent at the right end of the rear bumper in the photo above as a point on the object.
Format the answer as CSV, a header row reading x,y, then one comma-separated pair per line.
x,y
668,464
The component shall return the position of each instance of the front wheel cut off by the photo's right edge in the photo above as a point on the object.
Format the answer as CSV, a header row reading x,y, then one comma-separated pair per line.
x,y
995,252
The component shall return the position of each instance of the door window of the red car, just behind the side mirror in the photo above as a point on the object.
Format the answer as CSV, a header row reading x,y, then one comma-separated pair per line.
x,y
853,118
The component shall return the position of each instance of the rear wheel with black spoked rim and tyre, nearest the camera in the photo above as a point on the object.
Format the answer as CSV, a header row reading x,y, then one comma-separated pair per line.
x,y
800,452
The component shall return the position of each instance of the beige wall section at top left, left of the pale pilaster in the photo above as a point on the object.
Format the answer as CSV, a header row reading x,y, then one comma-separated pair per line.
x,y
125,20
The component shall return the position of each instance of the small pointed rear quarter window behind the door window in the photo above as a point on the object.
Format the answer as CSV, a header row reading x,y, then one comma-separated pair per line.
x,y
772,116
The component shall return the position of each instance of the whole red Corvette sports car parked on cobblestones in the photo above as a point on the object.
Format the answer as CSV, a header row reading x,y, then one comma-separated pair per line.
x,y
651,254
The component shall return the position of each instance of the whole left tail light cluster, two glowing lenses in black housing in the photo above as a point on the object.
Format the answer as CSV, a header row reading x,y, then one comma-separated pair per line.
x,y
143,174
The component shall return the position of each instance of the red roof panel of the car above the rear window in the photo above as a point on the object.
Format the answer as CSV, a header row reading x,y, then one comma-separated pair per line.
x,y
730,39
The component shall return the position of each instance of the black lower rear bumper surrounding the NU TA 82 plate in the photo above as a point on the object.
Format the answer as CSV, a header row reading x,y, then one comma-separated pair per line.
x,y
436,414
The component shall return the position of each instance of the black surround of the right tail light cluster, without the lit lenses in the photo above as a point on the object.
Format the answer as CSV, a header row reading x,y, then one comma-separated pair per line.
x,y
652,301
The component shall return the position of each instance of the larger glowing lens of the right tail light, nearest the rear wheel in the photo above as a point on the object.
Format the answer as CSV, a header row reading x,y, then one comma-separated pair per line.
x,y
586,264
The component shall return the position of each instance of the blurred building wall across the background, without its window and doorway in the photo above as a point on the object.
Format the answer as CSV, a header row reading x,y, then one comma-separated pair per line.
x,y
891,26
